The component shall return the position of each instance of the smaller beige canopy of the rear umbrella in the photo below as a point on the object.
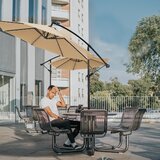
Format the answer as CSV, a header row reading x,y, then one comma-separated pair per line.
x,y
74,64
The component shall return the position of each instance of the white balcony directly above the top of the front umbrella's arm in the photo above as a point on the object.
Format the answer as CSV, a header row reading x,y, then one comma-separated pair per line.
x,y
58,14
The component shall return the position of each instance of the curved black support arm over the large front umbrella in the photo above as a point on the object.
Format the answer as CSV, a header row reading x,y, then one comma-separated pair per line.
x,y
89,46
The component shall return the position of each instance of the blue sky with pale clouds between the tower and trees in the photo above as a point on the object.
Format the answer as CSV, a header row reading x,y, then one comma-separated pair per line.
x,y
112,24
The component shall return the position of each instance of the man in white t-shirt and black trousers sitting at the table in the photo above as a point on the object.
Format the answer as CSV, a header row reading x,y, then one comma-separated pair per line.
x,y
50,104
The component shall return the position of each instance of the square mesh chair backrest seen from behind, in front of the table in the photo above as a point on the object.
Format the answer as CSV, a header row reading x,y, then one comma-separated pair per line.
x,y
93,121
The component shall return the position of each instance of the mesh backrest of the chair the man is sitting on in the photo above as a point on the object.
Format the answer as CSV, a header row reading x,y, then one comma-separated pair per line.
x,y
43,119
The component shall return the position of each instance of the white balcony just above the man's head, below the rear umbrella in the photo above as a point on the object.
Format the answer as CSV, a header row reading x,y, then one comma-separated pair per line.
x,y
60,82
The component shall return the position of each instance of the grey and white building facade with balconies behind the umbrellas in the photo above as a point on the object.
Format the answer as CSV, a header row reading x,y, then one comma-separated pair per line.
x,y
23,81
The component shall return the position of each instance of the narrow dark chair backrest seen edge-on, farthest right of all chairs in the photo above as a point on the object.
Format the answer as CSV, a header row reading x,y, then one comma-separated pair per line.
x,y
138,118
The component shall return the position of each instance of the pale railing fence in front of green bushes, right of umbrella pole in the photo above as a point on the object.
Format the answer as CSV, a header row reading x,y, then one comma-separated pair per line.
x,y
118,103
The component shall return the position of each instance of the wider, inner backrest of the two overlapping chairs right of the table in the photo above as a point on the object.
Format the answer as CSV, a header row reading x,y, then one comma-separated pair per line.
x,y
128,116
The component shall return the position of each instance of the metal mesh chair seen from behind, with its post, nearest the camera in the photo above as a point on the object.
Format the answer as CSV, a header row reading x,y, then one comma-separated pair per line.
x,y
93,122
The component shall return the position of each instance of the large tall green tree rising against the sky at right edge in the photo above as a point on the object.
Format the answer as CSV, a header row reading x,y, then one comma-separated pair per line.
x,y
144,49
